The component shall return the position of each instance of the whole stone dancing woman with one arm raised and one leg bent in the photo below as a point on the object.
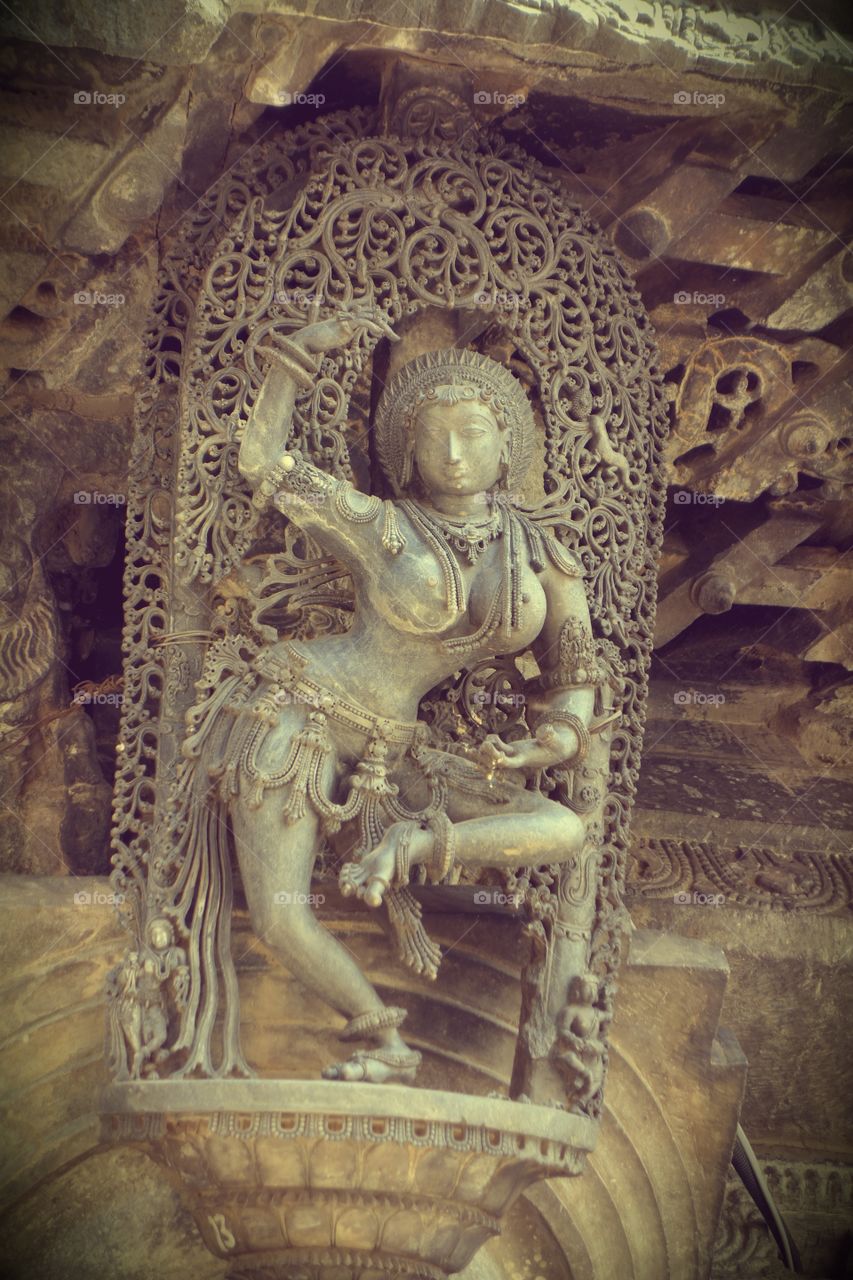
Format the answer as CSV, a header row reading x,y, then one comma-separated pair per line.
x,y
316,735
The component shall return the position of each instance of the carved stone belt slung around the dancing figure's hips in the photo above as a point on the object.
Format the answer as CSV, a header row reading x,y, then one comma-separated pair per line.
x,y
289,685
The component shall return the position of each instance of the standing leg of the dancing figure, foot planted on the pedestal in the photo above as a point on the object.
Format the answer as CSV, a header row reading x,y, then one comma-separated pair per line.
x,y
276,865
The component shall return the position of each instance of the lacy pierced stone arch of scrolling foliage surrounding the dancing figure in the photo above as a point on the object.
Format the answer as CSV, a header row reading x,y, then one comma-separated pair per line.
x,y
402,225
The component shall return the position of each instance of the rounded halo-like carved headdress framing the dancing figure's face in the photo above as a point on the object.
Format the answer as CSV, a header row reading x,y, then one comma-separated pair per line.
x,y
478,377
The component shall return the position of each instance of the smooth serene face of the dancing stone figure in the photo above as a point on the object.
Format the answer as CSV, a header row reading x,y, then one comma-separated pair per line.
x,y
459,449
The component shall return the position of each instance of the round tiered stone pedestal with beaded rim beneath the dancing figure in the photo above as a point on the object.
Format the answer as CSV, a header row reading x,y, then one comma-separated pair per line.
x,y
304,1181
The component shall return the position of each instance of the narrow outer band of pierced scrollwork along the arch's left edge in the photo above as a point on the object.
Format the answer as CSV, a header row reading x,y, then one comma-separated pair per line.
x,y
150,601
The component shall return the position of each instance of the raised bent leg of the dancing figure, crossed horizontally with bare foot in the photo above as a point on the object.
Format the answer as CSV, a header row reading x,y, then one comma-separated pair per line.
x,y
545,833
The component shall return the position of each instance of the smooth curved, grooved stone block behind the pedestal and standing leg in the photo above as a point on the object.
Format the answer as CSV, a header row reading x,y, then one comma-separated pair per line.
x,y
670,1080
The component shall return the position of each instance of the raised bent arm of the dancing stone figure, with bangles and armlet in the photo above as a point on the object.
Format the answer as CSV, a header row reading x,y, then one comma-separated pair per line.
x,y
344,519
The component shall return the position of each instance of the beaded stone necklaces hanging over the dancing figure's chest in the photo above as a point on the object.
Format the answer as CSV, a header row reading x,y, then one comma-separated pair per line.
x,y
469,538
